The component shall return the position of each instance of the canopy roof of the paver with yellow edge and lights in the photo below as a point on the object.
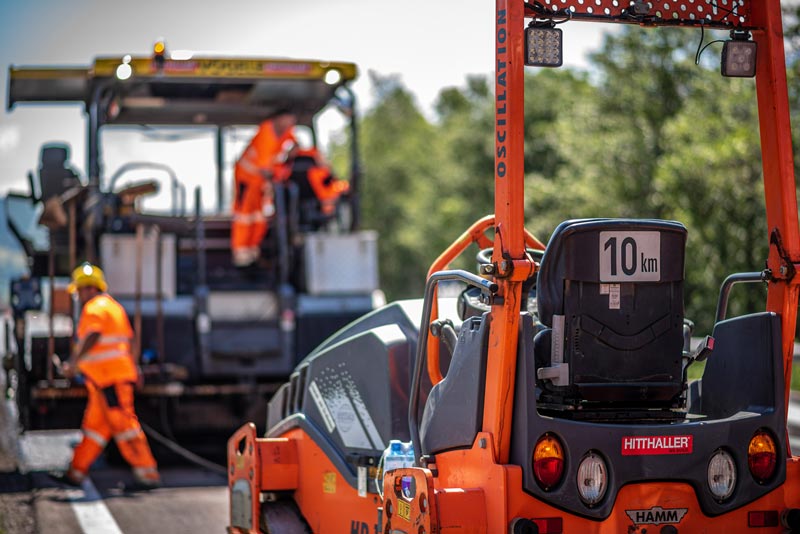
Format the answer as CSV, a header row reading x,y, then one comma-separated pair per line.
x,y
202,90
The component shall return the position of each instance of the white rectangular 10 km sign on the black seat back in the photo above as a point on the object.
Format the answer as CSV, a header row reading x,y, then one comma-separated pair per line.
x,y
630,256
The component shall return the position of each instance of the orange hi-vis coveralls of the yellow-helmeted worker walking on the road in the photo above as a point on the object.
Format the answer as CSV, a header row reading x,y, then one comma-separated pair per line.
x,y
110,375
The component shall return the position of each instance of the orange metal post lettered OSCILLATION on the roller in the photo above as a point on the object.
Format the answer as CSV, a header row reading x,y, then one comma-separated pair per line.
x,y
509,244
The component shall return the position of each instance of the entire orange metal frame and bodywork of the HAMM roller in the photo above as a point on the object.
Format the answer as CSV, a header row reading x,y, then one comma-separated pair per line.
x,y
476,490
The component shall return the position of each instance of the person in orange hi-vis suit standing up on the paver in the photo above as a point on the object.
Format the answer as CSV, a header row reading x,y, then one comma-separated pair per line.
x,y
262,162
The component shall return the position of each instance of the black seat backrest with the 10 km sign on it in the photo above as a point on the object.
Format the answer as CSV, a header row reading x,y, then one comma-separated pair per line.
x,y
611,291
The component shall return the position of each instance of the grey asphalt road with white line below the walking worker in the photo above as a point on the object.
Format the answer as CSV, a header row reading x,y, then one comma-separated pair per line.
x,y
192,500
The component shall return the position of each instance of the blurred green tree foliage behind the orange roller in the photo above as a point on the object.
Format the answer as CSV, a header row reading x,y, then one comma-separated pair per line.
x,y
644,133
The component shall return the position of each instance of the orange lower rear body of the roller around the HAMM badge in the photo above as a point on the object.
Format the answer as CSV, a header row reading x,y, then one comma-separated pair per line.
x,y
636,509
